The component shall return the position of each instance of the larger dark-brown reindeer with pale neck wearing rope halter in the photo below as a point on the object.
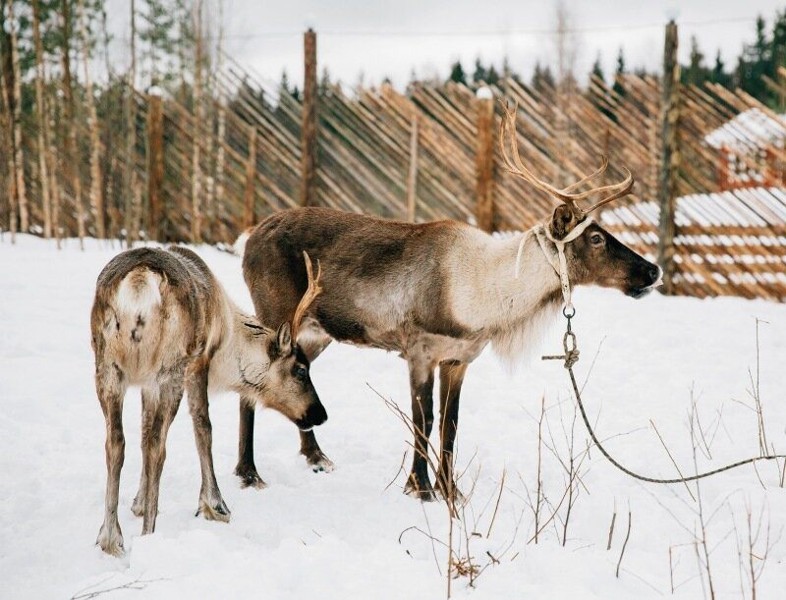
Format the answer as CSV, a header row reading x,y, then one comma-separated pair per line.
x,y
437,293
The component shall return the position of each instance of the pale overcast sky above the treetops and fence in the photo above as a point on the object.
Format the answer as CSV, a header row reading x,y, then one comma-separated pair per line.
x,y
378,39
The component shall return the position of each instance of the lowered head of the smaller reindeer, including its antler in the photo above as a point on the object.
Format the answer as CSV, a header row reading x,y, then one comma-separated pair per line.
x,y
285,385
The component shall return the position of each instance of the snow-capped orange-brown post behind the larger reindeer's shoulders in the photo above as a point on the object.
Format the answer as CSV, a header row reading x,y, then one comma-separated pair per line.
x,y
484,161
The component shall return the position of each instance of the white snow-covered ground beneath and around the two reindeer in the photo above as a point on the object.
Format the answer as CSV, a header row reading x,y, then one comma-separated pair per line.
x,y
349,533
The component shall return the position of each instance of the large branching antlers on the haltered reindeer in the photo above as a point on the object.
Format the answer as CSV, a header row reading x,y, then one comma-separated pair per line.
x,y
515,165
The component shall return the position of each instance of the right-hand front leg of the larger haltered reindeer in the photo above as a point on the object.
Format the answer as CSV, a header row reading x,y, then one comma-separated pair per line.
x,y
451,376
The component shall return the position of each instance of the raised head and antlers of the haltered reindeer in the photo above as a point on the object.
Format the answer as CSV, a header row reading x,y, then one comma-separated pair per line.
x,y
593,255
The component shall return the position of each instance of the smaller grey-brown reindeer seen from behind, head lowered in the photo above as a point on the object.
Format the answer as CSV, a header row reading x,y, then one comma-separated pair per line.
x,y
162,321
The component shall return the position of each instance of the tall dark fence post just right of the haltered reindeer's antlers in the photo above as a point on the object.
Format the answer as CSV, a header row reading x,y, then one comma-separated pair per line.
x,y
670,158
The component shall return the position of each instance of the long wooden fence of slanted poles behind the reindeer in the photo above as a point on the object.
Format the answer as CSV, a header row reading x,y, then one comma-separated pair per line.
x,y
432,153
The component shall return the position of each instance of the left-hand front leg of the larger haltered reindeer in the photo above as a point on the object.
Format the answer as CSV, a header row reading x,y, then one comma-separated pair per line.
x,y
421,381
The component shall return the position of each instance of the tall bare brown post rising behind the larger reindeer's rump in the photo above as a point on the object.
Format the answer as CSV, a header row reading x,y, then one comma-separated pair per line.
x,y
308,166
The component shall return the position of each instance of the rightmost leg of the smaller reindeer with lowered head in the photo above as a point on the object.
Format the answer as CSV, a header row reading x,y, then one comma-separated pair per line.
x,y
211,504
